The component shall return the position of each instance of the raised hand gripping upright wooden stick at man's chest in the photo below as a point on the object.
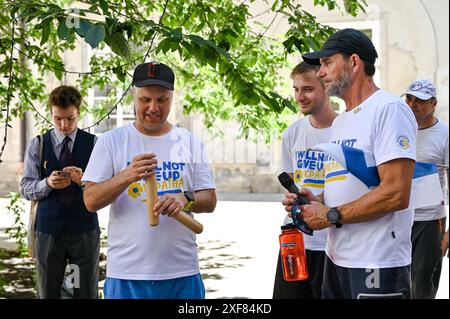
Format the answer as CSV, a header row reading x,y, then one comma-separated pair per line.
x,y
142,166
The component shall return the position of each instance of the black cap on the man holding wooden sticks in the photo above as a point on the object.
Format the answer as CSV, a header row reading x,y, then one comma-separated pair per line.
x,y
153,73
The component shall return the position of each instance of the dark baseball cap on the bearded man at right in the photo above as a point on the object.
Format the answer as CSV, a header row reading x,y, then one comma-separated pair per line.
x,y
348,41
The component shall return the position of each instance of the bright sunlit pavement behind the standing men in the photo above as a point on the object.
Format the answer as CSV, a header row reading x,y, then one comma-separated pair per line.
x,y
238,247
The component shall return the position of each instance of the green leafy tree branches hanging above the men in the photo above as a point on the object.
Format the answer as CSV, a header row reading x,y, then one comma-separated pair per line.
x,y
226,66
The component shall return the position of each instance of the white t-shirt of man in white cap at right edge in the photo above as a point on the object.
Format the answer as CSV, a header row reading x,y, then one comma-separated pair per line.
x,y
432,147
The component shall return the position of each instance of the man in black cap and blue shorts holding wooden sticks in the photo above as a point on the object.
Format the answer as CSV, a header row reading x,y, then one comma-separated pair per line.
x,y
143,261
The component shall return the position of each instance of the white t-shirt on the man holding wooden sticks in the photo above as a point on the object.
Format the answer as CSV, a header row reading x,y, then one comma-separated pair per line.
x,y
137,251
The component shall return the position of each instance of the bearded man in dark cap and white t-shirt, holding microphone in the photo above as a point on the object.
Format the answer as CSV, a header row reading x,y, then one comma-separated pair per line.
x,y
369,241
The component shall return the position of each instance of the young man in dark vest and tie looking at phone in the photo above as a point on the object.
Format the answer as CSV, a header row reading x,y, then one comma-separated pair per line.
x,y
66,233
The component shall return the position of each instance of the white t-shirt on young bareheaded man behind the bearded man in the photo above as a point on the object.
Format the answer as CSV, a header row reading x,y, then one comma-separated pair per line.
x,y
306,166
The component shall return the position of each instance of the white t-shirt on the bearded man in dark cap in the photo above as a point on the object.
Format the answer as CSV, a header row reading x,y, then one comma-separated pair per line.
x,y
384,126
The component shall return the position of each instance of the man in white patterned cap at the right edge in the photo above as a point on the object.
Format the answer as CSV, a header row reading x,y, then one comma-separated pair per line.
x,y
429,222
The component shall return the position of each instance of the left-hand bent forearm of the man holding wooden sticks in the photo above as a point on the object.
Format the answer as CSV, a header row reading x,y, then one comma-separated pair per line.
x,y
99,195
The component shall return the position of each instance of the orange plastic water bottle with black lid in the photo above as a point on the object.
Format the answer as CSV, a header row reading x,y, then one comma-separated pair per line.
x,y
293,255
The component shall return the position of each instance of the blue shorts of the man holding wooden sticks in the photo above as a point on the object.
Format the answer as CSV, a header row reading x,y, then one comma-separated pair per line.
x,y
190,287
